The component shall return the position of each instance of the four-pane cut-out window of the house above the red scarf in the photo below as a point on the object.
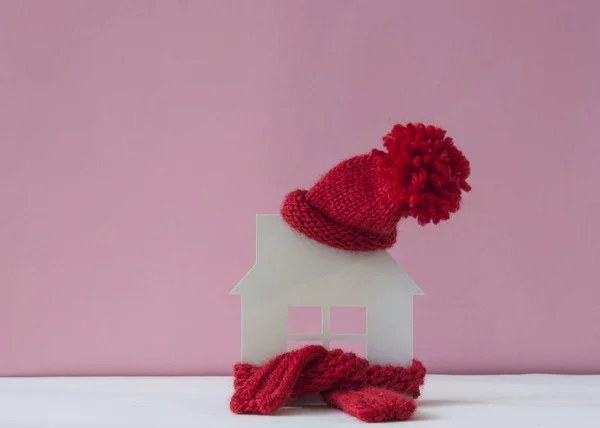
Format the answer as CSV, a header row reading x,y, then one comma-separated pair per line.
x,y
343,327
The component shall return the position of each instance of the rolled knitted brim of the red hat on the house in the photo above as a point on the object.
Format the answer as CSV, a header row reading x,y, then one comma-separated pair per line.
x,y
304,218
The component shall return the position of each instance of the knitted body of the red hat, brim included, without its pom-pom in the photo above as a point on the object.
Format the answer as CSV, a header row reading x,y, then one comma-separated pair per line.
x,y
348,209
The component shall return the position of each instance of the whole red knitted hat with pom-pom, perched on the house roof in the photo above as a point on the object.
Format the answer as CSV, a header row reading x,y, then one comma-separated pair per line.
x,y
357,205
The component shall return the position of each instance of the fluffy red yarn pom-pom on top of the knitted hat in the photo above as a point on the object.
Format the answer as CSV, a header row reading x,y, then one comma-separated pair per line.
x,y
427,172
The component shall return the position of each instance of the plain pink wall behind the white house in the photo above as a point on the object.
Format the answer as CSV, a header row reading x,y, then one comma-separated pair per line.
x,y
138,139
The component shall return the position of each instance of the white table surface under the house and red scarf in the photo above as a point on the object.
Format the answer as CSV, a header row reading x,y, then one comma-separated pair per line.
x,y
537,401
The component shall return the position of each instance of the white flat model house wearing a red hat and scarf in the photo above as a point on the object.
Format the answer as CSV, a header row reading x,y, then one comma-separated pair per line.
x,y
293,271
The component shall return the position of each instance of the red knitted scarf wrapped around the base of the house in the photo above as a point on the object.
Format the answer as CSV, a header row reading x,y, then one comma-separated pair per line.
x,y
370,393
